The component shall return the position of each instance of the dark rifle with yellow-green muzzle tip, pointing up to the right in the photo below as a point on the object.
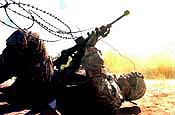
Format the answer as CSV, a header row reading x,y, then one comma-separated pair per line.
x,y
76,52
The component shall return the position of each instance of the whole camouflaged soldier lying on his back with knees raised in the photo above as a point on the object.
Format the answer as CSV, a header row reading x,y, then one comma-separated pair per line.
x,y
34,71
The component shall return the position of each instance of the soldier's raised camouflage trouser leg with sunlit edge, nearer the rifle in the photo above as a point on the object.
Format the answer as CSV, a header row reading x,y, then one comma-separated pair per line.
x,y
41,62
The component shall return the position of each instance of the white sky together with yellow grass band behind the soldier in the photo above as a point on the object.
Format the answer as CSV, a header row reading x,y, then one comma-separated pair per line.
x,y
146,36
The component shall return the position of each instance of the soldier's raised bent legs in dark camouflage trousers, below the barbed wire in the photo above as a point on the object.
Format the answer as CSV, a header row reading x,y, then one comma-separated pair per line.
x,y
26,58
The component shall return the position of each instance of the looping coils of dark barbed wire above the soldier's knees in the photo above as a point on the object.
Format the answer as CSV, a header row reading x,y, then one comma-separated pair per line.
x,y
29,9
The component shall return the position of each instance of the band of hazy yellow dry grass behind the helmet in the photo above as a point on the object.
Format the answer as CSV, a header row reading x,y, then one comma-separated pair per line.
x,y
155,67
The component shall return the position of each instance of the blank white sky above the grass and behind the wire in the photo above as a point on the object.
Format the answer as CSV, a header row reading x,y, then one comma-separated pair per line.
x,y
148,30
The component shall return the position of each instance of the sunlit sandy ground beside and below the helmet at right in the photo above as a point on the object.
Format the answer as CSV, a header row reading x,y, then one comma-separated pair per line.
x,y
158,100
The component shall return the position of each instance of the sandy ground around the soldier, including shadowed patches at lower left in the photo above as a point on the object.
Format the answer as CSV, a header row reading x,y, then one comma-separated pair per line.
x,y
158,100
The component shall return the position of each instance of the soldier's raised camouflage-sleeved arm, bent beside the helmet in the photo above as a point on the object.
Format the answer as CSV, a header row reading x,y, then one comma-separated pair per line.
x,y
108,92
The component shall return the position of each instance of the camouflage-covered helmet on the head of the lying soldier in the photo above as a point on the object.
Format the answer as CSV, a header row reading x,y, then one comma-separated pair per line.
x,y
132,86
